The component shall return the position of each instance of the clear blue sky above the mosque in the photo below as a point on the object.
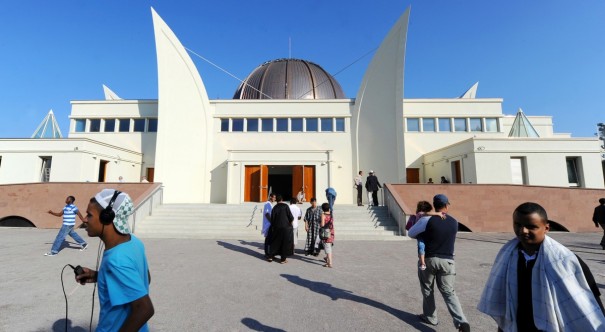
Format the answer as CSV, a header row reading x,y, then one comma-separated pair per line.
x,y
547,57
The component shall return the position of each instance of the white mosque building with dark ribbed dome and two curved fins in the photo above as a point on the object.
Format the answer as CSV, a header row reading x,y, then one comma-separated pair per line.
x,y
289,128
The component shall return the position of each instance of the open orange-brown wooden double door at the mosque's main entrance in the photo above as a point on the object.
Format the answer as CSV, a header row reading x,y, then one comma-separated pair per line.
x,y
292,178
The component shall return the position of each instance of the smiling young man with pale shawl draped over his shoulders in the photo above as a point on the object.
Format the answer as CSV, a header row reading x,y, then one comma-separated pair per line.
x,y
536,283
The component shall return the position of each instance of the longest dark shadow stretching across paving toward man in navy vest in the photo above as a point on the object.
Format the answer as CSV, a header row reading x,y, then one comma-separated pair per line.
x,y
337,293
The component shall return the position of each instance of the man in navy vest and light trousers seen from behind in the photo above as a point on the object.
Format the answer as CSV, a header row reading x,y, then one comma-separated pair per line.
x,y
439,237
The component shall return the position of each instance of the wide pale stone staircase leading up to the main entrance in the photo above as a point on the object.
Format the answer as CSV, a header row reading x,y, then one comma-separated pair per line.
x,y
244,221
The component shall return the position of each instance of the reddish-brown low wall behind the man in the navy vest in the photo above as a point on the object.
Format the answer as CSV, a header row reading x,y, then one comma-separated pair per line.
x,y
489,208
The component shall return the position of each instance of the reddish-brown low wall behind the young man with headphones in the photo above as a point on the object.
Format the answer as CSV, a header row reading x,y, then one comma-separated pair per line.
x,y
32,200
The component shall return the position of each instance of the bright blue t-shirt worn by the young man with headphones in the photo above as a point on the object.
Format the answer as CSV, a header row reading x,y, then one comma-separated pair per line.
x,y
123,278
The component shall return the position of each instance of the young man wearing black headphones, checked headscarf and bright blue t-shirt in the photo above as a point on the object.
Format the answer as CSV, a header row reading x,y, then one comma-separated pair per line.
x,y
123,277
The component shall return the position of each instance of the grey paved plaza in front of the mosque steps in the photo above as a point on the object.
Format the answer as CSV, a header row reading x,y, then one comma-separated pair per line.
x,y
210,285
